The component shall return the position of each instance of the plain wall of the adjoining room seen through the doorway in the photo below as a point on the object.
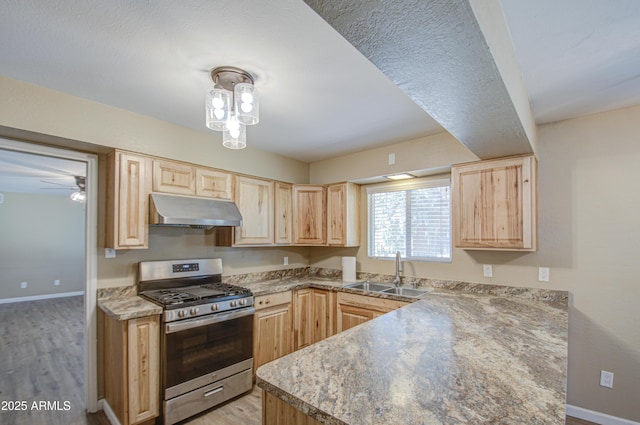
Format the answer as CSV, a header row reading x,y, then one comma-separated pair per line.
x,y
42,240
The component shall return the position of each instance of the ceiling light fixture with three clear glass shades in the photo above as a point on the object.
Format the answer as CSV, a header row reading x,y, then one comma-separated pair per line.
x,y
231,105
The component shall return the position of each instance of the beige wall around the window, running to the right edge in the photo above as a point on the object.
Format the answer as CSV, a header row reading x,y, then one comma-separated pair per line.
x,y
588,236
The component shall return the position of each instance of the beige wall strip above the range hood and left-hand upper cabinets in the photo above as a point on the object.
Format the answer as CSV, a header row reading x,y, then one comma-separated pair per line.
x,y
33,109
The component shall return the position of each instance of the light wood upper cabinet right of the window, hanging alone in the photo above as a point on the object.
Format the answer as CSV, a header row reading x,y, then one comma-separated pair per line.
x,y
494,204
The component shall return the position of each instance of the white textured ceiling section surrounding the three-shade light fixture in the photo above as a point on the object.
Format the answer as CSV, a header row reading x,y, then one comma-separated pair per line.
x,y
319,96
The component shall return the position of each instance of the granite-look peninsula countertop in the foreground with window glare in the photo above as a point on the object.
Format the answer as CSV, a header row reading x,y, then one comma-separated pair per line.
x,y
449,358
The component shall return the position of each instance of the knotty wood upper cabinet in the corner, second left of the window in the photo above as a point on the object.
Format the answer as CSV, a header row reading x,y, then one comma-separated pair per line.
x,y
309,219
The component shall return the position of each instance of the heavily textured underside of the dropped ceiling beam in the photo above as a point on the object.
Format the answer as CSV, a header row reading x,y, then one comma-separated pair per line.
x,y
440,57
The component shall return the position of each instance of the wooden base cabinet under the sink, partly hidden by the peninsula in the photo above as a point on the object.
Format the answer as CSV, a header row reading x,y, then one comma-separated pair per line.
x,y
353,309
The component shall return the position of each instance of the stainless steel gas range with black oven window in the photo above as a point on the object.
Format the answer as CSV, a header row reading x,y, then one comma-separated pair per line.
x,y
207,338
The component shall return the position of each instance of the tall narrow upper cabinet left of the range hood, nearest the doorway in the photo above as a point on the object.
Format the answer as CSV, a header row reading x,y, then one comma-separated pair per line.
x,y
128,187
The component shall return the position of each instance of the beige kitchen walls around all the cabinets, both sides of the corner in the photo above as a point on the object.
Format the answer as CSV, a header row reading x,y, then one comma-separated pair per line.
x,y
588,205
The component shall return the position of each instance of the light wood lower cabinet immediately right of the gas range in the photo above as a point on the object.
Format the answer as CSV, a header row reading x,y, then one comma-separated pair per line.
x,y
272,335
